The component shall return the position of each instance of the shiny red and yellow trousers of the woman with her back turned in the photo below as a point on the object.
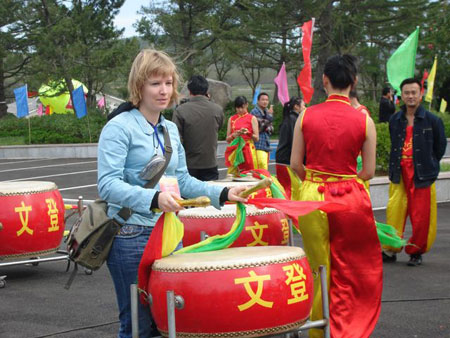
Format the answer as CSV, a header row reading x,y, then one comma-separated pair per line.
x,y
347,244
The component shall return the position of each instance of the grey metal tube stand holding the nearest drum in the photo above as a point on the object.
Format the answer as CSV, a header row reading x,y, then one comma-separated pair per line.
x,y
177,302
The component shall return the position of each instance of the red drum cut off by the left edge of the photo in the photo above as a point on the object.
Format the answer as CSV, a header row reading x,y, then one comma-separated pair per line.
x,y
32,216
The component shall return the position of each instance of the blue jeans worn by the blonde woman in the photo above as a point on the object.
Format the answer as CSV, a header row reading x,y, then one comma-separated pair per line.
x,y
123,262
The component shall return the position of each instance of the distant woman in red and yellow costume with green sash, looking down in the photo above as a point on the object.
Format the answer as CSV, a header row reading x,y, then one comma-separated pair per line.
x,y
242,131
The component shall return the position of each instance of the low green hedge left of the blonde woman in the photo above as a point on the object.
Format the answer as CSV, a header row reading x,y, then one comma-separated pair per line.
x,y
56,128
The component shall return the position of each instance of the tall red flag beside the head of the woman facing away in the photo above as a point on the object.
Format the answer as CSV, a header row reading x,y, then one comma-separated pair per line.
x,y
305,77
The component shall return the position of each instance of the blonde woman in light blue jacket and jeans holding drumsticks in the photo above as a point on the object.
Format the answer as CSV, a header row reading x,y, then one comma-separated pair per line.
x,y
127,143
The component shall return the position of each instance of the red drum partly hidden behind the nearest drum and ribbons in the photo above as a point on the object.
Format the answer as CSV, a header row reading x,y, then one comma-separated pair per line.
x,y
262,226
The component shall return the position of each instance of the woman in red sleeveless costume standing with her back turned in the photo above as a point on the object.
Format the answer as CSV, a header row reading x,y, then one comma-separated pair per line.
x,y
331,135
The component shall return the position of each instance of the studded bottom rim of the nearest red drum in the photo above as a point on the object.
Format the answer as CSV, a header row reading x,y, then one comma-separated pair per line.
x,y
248,333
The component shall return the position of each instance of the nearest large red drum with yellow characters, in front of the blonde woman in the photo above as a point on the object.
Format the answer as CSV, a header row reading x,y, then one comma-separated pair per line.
x,y
236,292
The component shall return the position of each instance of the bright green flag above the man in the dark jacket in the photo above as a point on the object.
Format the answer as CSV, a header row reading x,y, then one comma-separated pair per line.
x,y
402,63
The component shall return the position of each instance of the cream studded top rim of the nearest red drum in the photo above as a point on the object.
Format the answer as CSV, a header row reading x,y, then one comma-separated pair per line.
x,y
223,266
